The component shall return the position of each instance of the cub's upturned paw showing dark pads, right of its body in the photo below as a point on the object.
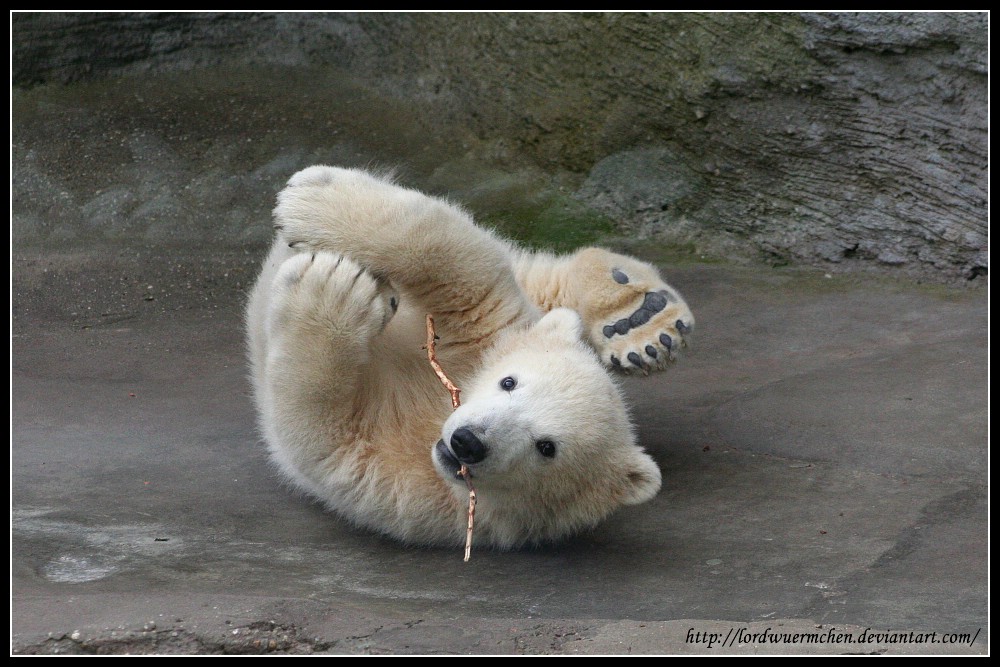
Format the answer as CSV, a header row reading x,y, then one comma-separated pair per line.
x,y
636,321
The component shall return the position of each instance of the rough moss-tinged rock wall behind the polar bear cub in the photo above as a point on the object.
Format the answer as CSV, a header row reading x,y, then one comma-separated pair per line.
x,y
837,140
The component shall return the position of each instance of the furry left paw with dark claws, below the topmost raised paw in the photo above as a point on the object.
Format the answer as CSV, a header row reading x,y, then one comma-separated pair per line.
x,y
329,296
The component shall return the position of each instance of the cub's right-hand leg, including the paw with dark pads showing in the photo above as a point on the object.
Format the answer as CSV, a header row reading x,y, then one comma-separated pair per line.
x,y
635,321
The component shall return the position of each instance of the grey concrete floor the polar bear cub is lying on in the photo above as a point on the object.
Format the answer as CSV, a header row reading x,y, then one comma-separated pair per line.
x,y
824,447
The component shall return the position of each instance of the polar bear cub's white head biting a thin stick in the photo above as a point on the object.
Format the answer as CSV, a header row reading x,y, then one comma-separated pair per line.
x,y
546,436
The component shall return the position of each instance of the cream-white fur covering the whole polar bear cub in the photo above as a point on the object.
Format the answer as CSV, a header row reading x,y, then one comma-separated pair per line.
x,y
351,410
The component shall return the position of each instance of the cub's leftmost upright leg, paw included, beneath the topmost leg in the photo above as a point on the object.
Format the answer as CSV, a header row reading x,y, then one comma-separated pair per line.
x,y
322,312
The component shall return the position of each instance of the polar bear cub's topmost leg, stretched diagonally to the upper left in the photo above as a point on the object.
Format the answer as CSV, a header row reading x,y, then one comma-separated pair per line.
x,y
430,249
